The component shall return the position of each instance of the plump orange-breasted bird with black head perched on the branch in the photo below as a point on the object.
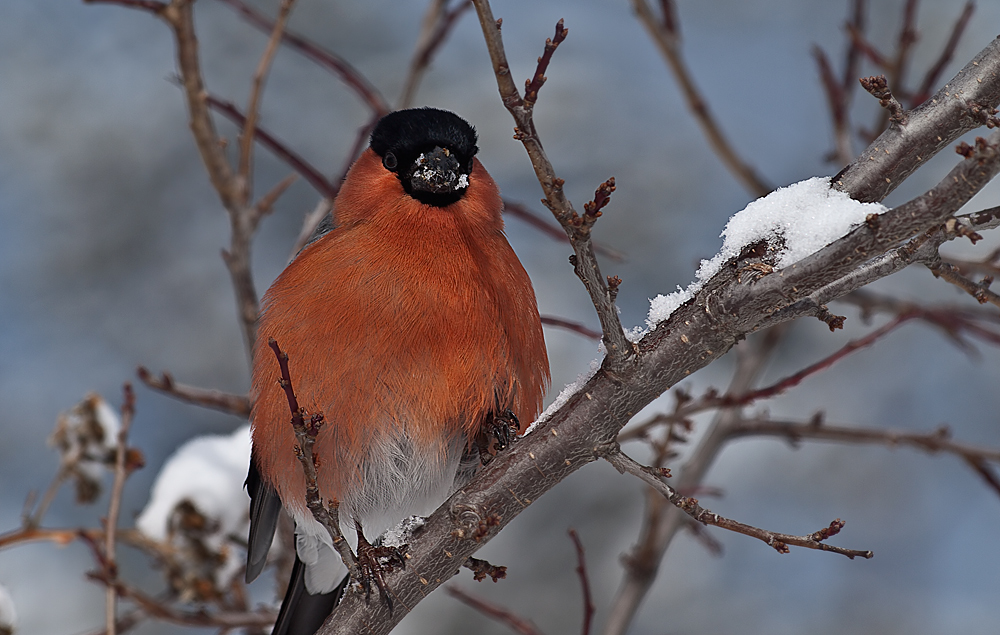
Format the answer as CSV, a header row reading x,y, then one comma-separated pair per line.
x,y
411,325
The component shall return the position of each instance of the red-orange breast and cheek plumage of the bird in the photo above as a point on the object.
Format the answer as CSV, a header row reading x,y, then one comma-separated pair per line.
x,y
406,319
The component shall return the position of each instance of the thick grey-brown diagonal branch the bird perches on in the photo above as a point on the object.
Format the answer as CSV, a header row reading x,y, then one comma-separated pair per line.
x,y
698,332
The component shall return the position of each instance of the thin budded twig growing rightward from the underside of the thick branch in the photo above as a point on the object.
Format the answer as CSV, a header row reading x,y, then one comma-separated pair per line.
x,y
780,542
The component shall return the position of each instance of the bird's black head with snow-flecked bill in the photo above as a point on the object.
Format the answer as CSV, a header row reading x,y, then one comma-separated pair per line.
x,y
430,151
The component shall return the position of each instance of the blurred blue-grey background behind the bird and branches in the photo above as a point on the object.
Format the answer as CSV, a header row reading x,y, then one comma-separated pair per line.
x,y
109,258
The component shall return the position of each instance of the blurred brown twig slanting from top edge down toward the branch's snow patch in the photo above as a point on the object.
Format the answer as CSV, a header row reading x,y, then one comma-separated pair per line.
x,y
668,41
